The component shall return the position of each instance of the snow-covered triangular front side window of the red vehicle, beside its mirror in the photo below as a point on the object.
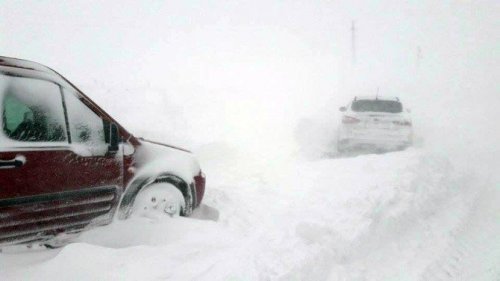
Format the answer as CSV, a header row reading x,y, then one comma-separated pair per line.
x,y
86,128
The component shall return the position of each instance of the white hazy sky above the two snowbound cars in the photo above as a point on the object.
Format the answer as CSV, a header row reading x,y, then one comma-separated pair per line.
x,y
265,64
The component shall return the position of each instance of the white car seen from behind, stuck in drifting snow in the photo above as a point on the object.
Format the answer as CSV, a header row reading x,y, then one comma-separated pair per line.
x,y
375,123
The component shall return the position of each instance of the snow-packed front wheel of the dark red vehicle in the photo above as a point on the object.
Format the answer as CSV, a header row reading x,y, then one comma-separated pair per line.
x,y
159,199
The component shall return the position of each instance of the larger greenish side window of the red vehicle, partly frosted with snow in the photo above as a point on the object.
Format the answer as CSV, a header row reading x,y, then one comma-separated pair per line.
x,y
32,110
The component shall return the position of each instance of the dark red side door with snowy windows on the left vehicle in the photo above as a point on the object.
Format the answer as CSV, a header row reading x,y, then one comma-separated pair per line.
x,y
56,173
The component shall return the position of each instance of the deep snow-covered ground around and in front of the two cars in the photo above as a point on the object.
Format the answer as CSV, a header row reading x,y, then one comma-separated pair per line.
x,y
410,215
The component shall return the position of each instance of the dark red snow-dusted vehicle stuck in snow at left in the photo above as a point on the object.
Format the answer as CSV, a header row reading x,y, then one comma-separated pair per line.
x,y
66,165
